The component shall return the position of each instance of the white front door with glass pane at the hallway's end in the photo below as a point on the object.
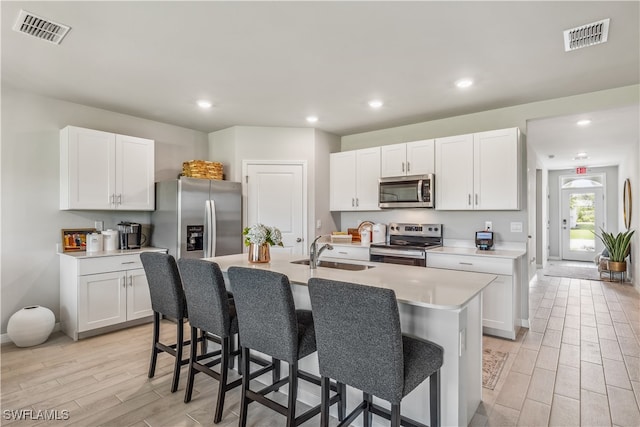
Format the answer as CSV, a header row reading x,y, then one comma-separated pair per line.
x,y
581,215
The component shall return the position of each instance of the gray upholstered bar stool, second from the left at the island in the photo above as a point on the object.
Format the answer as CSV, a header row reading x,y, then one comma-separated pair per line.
x,y
211,312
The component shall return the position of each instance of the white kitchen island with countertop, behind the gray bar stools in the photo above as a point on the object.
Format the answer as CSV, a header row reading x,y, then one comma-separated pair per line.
x,y
442,306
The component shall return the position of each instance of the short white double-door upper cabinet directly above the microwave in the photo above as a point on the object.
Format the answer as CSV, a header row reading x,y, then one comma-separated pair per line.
x,y
411,158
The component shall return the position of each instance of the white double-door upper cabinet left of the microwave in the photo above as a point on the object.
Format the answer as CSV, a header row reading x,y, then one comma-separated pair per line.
x,y
354,179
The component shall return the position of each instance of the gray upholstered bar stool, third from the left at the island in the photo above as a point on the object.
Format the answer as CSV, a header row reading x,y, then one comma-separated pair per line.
x,y
270,324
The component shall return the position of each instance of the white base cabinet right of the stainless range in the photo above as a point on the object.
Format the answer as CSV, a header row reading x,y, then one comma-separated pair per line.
x,y
500,300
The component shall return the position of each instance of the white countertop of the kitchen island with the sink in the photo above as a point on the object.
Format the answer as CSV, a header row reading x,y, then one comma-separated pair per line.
x,y
425,287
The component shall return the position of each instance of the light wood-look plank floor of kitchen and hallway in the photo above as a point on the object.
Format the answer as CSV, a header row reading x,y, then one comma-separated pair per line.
x,y
579,364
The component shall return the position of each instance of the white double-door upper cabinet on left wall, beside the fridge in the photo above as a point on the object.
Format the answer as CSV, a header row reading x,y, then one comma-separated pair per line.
x,y
105,171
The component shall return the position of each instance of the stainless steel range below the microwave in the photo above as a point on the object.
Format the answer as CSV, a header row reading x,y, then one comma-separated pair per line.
x,y
407,244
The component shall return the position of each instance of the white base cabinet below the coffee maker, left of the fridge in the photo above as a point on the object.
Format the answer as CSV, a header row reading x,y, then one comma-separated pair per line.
x,y
102,291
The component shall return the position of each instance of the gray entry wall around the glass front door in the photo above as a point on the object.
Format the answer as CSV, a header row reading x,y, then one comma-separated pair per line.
x,y
611,204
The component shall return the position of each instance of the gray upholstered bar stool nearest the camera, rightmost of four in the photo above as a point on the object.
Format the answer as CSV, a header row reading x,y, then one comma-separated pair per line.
x,y
360,344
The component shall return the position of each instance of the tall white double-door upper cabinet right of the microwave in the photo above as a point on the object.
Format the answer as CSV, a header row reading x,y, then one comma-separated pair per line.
x,y
478,171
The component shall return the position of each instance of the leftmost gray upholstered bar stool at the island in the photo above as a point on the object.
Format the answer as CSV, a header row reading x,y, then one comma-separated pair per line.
x,y
167,298
